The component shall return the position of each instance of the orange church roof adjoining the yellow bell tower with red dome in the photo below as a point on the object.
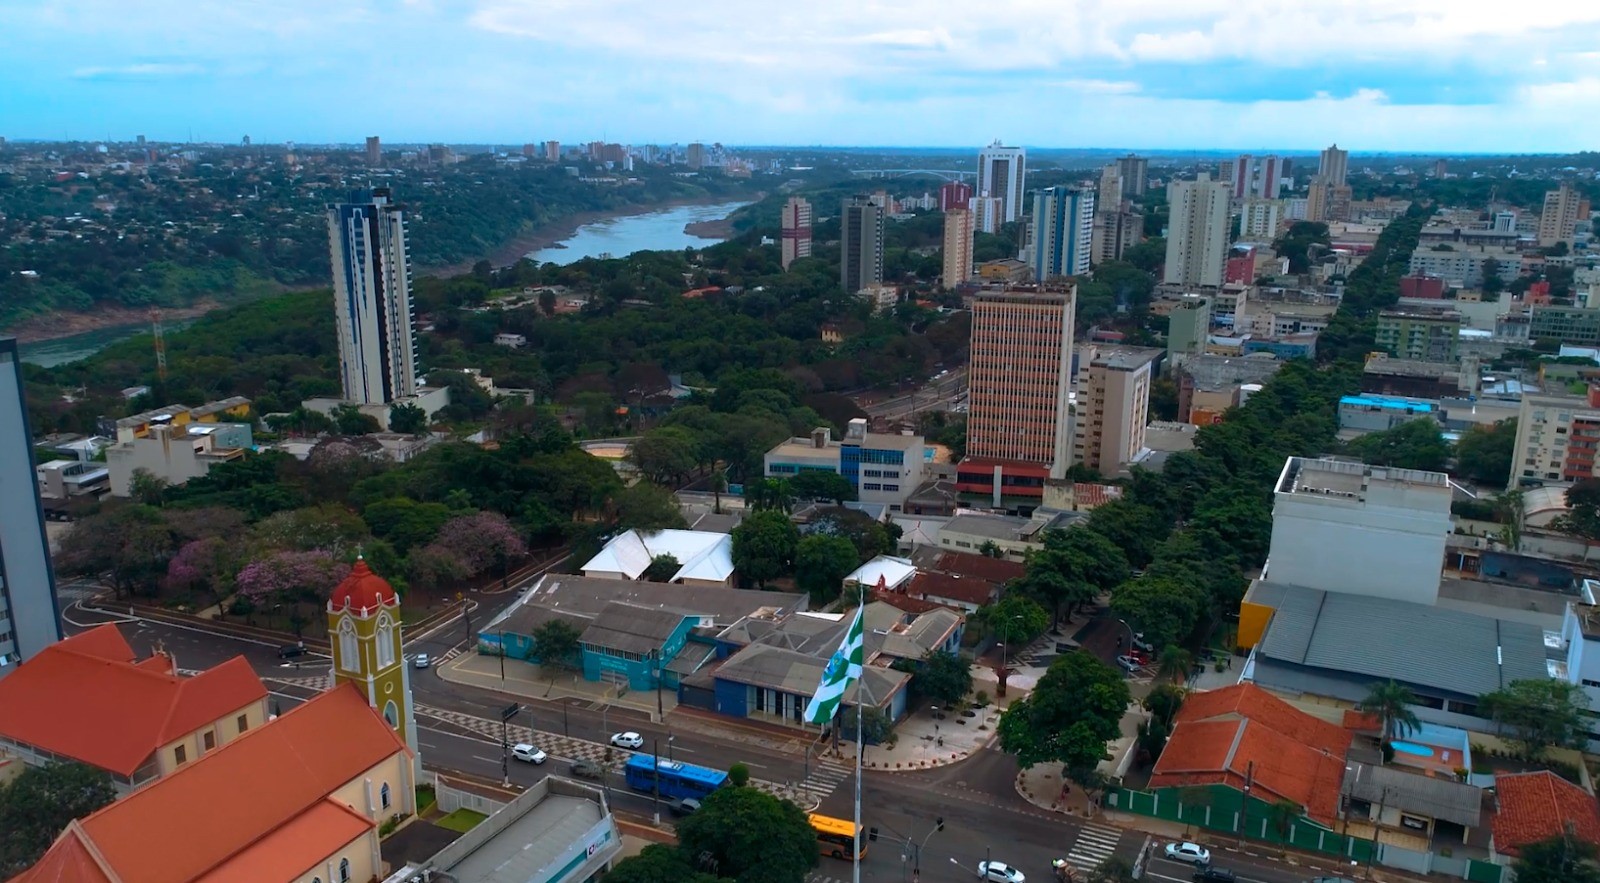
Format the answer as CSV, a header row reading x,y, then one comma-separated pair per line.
x,y
204,821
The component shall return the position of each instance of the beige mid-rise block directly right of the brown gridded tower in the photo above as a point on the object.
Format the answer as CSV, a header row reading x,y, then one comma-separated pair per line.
x,y
1113,407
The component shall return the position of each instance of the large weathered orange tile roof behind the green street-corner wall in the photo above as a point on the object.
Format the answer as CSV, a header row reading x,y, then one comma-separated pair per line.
x,y
1242,733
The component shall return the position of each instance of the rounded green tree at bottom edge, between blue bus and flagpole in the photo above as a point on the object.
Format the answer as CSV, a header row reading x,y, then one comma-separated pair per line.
x,y
751,837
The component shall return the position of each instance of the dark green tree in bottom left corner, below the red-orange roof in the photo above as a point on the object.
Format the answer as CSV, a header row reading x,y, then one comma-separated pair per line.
x,y
39,804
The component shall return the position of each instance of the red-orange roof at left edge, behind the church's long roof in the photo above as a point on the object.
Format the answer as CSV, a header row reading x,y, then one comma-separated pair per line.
x,y
121,711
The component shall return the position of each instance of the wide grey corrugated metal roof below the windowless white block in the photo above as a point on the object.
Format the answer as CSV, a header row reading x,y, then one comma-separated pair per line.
x,y
1406,642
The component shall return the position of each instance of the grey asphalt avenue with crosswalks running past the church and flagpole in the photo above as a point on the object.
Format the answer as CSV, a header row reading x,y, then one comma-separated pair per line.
x,y
458,729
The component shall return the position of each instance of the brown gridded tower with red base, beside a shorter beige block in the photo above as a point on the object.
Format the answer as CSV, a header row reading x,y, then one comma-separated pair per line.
x,y
1020,377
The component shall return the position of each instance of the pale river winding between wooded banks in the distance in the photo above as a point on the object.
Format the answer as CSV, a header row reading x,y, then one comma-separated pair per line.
x,y
652,231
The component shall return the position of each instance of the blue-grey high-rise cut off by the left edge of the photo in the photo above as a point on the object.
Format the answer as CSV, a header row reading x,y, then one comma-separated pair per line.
x,y
30,615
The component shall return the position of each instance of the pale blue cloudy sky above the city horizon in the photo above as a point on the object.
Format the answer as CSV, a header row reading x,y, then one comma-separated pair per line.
x,y
1404,76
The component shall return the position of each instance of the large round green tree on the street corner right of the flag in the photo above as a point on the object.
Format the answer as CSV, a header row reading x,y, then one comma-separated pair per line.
x,y
1070,717
